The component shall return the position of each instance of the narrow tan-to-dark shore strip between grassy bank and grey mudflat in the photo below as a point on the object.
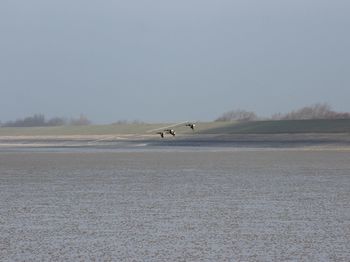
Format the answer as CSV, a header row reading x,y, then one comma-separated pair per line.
x,y
341,140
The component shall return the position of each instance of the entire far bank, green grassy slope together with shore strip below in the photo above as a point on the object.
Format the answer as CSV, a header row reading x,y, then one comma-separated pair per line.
x,y
291,133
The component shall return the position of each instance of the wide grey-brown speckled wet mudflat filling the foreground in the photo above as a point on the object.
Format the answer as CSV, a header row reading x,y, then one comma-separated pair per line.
x,y
175,205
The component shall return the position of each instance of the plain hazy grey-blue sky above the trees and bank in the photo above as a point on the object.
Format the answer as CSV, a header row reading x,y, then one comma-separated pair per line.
x,y
168,61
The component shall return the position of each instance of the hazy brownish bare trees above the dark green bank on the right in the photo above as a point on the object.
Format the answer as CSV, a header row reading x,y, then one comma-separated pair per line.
x,y
316,111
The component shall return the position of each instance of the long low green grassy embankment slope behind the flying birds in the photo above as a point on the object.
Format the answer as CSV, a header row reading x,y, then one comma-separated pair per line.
x,y
253,127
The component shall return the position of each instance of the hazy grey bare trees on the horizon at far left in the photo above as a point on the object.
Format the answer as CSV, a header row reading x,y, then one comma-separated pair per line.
x,y
39,120
